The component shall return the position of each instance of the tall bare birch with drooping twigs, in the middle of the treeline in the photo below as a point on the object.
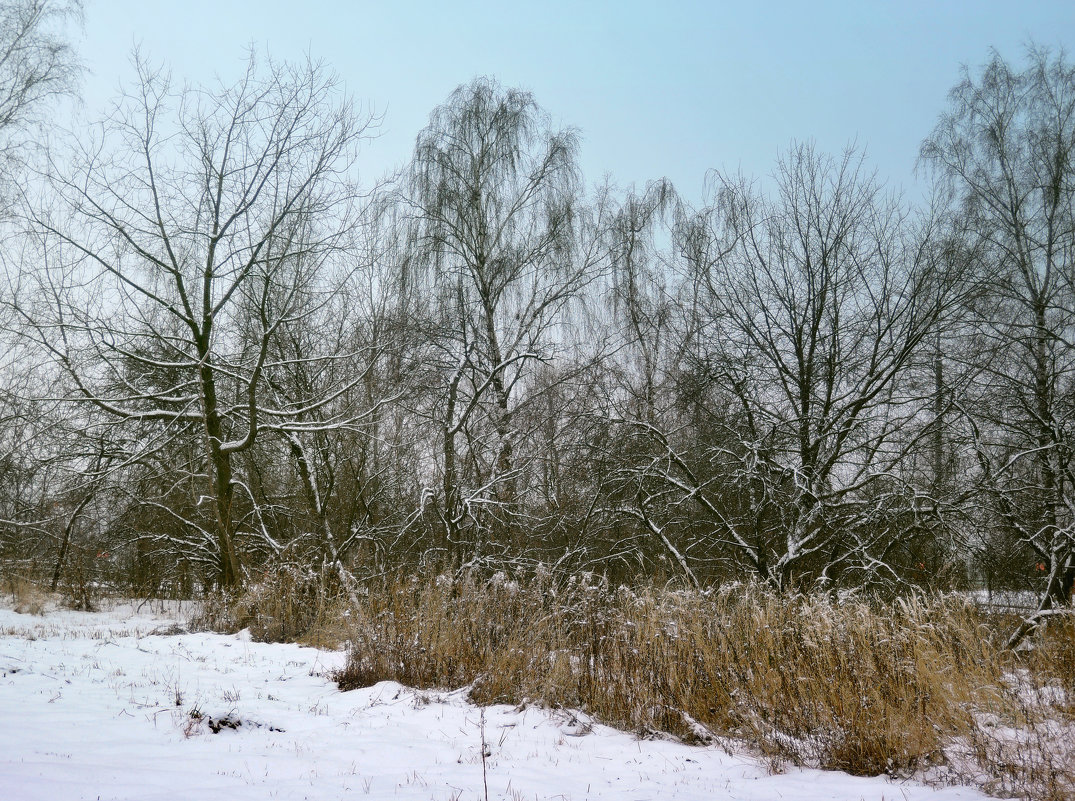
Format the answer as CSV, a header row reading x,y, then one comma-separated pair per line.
x,y
496,196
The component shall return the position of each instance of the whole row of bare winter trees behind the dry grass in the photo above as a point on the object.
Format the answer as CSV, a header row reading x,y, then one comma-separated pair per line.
x,y
224,353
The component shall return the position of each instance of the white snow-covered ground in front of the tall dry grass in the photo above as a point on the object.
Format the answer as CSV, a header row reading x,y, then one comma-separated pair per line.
x,y
118,706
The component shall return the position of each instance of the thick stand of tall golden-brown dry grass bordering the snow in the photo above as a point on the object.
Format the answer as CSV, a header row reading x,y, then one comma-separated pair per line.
x,y
912,686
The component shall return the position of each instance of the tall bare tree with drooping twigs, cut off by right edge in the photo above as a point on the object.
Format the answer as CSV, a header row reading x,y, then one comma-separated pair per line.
x,y
1007,151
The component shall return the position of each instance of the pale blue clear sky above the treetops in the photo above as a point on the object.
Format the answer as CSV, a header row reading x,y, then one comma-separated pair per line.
x,y
657,89
